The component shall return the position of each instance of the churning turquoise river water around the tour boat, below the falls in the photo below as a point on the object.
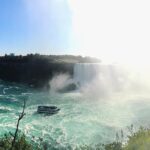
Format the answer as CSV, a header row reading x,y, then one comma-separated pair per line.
x,y
80,121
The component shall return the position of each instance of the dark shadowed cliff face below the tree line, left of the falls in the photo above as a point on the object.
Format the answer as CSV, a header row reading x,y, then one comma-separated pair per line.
x,y
35,74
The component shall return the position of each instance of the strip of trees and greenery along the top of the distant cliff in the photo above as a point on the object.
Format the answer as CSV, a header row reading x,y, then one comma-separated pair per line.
x,y
47,58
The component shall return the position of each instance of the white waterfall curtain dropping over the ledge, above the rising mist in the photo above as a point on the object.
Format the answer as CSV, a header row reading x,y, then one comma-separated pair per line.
x,y
85,73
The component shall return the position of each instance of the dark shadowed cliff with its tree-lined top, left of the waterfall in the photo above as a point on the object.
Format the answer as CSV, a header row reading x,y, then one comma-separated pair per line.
x,y
36,70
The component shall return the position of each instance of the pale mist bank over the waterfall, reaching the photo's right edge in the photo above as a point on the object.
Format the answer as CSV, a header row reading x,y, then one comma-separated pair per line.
x,y
99,82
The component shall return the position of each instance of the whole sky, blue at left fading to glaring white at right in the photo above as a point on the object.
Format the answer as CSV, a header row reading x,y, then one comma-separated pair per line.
x,y
116,31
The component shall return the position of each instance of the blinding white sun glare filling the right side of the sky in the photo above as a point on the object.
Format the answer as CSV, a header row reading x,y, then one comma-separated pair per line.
x,y
116,31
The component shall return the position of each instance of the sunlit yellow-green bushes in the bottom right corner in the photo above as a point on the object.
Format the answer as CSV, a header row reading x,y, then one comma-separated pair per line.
x,y
139,140
